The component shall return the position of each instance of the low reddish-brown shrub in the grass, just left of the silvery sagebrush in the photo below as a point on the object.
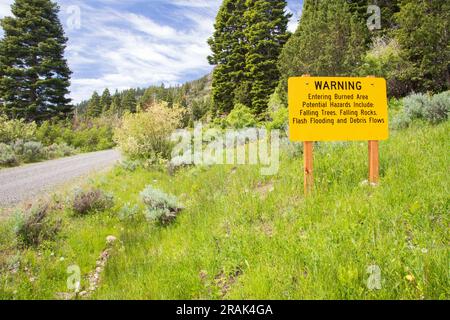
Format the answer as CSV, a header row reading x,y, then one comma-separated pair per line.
x,y
93,200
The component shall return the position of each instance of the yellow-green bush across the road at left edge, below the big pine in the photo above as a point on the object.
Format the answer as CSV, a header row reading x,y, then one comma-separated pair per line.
x,y
12,130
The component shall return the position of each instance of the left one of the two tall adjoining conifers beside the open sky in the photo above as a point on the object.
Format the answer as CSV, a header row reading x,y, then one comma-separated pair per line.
x,y
229,50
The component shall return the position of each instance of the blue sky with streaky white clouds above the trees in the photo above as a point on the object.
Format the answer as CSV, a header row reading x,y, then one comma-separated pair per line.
x,y
123,44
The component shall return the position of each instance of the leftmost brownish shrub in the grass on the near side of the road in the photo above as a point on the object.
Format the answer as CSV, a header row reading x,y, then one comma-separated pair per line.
x,y
35,226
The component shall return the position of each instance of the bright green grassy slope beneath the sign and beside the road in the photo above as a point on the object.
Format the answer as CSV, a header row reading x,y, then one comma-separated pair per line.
x,y
245,236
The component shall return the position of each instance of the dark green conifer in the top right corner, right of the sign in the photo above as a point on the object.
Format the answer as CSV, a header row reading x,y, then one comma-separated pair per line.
x,y
424,37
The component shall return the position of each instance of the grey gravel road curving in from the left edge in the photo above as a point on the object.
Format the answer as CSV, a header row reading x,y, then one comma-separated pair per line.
x,y
23,183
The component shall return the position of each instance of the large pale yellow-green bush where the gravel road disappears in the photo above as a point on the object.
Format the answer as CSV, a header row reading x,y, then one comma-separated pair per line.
x,y
146,135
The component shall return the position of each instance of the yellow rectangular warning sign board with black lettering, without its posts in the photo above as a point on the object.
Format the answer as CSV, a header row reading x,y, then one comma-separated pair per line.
x,y
338,109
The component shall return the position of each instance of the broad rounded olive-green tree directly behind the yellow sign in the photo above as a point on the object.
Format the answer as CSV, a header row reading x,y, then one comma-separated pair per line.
x,y
331,40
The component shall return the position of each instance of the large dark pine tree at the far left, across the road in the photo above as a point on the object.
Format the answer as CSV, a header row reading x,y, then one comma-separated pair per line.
x,y
34,76
